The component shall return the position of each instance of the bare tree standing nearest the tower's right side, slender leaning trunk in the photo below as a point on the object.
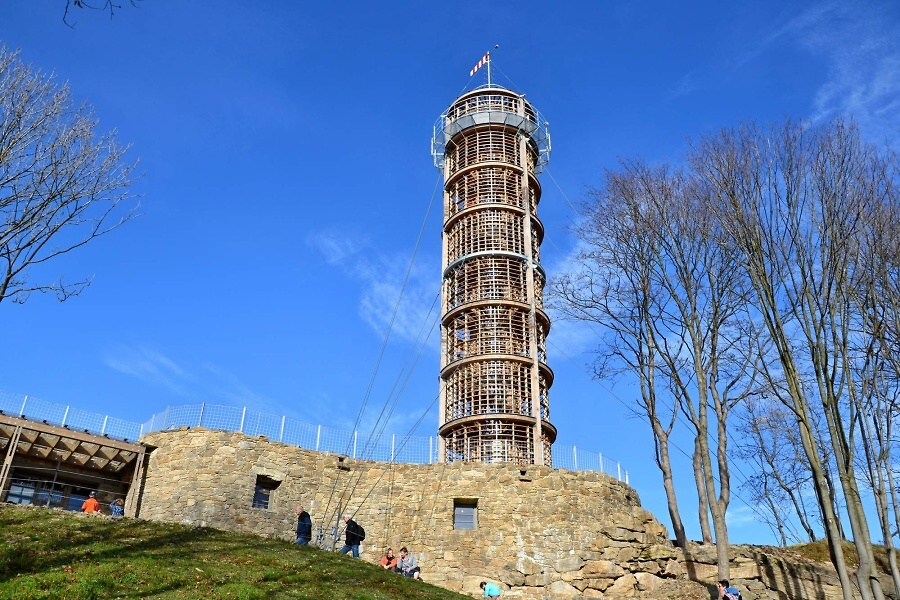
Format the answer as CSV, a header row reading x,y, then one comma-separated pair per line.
x,y
612,284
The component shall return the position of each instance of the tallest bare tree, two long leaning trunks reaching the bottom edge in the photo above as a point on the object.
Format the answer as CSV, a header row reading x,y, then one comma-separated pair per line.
x,y
795,202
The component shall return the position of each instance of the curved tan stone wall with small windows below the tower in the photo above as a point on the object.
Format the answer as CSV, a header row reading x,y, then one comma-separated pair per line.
x,y
541,533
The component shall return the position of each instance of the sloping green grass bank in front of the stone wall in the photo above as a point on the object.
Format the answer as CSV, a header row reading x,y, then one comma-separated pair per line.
x,y
48,554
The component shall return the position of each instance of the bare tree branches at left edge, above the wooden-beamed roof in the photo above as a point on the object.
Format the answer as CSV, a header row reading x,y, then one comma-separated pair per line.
x,y
61,185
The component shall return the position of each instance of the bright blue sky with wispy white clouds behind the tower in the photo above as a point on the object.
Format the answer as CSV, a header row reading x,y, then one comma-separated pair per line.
x,y
285,147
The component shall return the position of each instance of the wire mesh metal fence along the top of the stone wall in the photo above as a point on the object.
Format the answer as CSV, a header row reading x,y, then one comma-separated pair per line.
x,y
356,444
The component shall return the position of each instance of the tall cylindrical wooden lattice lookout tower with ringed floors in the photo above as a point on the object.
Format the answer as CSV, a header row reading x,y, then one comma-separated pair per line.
x,y
490,144
